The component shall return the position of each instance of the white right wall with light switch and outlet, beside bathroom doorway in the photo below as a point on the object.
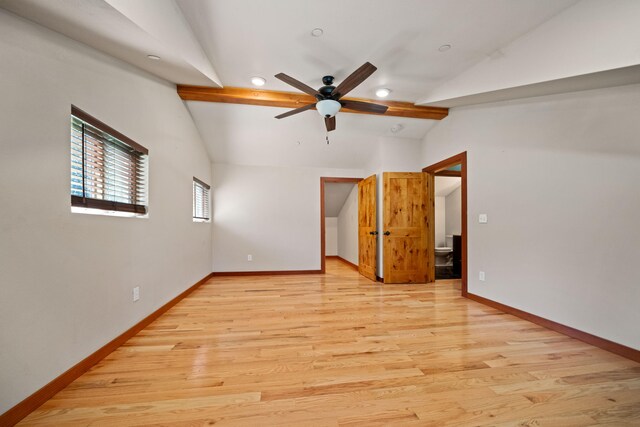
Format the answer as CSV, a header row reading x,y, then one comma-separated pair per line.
x,y
558,177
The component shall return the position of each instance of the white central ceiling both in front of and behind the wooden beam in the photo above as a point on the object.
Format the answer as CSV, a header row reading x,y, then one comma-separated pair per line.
x,y
245,38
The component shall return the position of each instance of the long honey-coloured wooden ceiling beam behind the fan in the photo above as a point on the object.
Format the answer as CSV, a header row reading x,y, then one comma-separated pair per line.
x,y
272,98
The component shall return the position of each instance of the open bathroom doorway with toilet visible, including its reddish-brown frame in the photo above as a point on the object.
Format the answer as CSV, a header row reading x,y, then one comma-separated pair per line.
x,y
452,259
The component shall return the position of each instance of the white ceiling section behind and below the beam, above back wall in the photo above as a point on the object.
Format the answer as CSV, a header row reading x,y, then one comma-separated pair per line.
x,y
245,134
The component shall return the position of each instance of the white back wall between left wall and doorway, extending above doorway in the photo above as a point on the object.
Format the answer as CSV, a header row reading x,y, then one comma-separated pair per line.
x,y
272,213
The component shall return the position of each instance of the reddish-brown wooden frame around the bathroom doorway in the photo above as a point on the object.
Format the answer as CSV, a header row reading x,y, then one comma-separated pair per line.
x,y
437,169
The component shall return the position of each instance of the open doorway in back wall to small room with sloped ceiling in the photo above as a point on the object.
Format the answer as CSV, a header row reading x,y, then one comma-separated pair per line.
x,y
339,220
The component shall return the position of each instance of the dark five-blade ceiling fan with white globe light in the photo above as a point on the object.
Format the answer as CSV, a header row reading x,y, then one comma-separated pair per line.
x,y
329,97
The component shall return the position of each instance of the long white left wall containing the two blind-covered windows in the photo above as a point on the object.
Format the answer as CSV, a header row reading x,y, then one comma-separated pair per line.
x,y
66,279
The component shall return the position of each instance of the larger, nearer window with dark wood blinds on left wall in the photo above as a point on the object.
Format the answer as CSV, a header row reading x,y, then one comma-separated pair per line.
x,y
108,169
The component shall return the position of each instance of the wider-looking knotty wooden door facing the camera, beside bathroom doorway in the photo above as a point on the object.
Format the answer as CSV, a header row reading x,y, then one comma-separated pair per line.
x,y
407,215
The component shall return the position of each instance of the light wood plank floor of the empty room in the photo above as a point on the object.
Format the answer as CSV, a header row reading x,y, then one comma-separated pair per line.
x,y
337,349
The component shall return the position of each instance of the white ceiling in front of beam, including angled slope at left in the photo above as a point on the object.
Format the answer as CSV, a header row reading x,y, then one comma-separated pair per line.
x,y
206,42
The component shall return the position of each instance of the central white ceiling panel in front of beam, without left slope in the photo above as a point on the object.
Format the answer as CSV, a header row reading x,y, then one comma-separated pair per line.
x,y
244,38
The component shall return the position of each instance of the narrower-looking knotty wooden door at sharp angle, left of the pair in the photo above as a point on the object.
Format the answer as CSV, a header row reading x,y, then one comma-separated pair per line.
x,y
367,230
